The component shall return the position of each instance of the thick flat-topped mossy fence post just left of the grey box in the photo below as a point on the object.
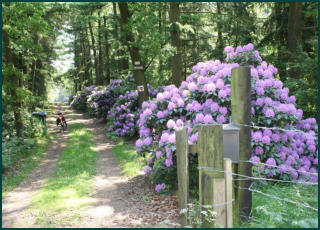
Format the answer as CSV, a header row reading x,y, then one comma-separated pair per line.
x,y
210,148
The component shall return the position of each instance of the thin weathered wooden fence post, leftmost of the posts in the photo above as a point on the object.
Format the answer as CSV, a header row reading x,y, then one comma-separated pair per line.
x,y
183,172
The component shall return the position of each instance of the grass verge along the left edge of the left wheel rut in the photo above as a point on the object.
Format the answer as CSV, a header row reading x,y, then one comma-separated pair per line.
x,y
26,165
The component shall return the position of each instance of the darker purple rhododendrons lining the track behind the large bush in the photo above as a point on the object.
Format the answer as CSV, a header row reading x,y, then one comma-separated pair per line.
x,y
117,103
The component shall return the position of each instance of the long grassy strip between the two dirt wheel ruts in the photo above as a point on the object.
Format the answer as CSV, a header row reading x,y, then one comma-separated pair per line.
x,y
68,190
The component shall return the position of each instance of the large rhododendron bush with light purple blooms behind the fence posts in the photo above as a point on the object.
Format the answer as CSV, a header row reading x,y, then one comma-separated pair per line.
x,y
205,98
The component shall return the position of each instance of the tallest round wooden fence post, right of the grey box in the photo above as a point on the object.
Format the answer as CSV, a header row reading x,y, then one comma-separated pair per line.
x,y
241,114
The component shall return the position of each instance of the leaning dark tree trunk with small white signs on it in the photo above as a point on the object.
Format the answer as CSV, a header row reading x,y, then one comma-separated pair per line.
x,y
138,74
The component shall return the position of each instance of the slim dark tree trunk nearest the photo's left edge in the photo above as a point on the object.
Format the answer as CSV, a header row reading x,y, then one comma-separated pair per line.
x,y
14,80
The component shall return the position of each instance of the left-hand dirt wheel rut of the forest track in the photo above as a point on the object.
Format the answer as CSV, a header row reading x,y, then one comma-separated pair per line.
x,y
17,201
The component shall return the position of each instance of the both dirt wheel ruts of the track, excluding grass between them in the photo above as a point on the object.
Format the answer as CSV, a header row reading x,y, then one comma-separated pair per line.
x,y
118,201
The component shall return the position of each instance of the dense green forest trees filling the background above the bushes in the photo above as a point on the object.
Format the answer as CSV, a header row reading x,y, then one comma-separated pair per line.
x,y
156,43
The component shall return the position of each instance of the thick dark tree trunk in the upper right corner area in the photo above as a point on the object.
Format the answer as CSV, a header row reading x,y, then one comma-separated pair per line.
x,y
294,34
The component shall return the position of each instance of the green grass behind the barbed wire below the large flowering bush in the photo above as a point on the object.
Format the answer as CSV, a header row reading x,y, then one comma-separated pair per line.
x,y
268,212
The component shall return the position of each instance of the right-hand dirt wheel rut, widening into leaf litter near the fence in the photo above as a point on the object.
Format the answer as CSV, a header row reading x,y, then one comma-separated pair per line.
x,y
120,201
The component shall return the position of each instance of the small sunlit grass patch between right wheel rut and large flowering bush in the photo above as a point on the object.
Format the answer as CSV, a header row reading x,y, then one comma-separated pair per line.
x,y
127,158
